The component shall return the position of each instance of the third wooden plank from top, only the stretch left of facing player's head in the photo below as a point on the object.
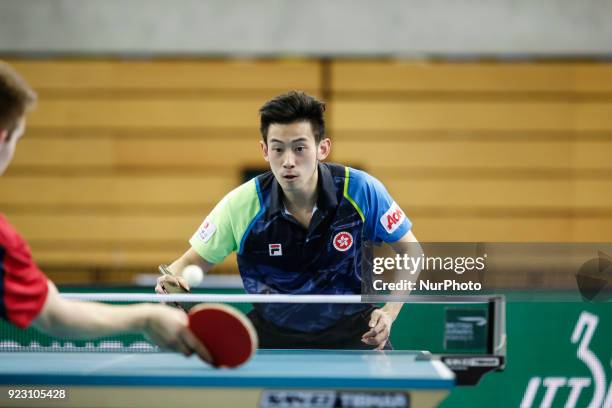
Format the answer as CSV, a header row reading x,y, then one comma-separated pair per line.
x,y
116,152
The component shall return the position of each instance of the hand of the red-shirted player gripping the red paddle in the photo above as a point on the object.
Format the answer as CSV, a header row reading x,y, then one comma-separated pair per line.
x,y
168,328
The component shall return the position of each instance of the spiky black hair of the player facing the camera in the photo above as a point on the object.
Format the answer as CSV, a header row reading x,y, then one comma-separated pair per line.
x,y
291,107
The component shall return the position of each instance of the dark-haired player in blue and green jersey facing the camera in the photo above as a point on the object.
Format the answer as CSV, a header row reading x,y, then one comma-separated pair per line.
x,y
298,229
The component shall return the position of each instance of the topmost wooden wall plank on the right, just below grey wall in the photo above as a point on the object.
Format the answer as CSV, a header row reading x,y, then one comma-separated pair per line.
x,y
394,77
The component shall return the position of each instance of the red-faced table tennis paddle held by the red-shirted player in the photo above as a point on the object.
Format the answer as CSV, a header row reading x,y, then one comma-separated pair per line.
x,y
228,335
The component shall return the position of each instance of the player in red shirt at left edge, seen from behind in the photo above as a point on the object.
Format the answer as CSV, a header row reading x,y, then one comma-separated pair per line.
x,y
28,298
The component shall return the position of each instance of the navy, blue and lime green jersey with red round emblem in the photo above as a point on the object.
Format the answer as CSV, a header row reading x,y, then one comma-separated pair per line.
x,y
278,255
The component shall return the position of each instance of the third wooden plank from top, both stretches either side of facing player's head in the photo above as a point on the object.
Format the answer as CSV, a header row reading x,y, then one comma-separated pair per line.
x,y
381,152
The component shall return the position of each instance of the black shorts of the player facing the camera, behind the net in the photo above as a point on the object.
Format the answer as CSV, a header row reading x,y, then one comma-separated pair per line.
x,y
346,334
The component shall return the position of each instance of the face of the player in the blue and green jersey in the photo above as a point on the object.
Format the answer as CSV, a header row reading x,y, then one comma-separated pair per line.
x,y
293,155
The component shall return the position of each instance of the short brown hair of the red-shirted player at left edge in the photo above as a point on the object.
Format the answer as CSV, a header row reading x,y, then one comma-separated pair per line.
x,y
16,97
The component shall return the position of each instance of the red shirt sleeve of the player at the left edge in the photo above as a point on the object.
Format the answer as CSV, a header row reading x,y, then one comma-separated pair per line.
x,y
23,287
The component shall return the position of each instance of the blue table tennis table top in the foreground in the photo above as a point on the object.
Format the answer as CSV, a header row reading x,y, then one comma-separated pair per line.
x,y
267,369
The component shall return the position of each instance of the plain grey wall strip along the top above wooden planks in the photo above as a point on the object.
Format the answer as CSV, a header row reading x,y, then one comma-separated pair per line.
x,y
317,28
